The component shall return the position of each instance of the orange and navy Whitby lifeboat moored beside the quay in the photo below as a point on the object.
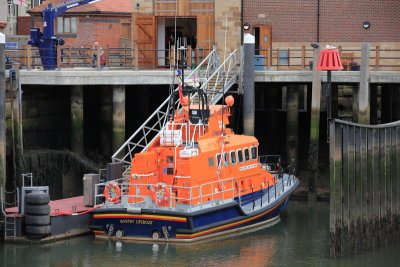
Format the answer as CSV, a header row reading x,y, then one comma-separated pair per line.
x,y
197,180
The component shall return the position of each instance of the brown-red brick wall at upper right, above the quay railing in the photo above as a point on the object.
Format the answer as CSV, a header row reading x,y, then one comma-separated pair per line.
x,y
340,21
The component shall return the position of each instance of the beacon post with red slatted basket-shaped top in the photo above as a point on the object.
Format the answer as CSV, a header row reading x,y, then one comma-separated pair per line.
x,y
329,60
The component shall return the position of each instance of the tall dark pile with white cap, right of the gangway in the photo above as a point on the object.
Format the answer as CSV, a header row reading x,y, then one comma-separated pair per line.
x,y
248,96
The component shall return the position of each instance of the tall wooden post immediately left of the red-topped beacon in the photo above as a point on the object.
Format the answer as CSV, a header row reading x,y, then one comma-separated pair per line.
x,y
313,154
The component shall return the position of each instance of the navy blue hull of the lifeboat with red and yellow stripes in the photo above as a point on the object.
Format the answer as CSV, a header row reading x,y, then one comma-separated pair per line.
x,y
181,226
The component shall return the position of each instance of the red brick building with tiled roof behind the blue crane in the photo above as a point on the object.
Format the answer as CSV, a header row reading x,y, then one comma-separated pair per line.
x,y
107,22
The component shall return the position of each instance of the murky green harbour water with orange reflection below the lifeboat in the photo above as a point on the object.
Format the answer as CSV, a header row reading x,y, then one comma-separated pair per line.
x,y
300,239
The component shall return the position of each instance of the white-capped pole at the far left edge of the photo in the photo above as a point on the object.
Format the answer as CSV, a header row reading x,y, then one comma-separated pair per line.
x,y
2,111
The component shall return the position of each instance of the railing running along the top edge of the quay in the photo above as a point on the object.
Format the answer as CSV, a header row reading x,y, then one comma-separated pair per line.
x,y
291,58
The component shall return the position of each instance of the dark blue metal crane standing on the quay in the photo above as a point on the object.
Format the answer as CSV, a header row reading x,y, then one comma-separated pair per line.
x,y
47,42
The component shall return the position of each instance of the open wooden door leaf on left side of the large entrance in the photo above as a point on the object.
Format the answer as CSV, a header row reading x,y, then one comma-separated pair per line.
x,y
145,37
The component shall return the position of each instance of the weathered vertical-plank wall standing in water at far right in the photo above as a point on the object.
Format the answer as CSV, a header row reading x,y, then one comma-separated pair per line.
x,y
364,184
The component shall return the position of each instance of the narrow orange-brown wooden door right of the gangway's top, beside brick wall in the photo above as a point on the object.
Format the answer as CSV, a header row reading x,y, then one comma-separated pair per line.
x,y
264,39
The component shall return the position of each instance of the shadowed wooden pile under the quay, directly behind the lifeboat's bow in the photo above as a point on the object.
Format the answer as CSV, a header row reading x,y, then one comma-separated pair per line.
x,y
292,124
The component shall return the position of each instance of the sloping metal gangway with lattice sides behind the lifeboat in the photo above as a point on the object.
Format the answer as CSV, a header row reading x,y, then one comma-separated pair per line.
x,y
215,79
